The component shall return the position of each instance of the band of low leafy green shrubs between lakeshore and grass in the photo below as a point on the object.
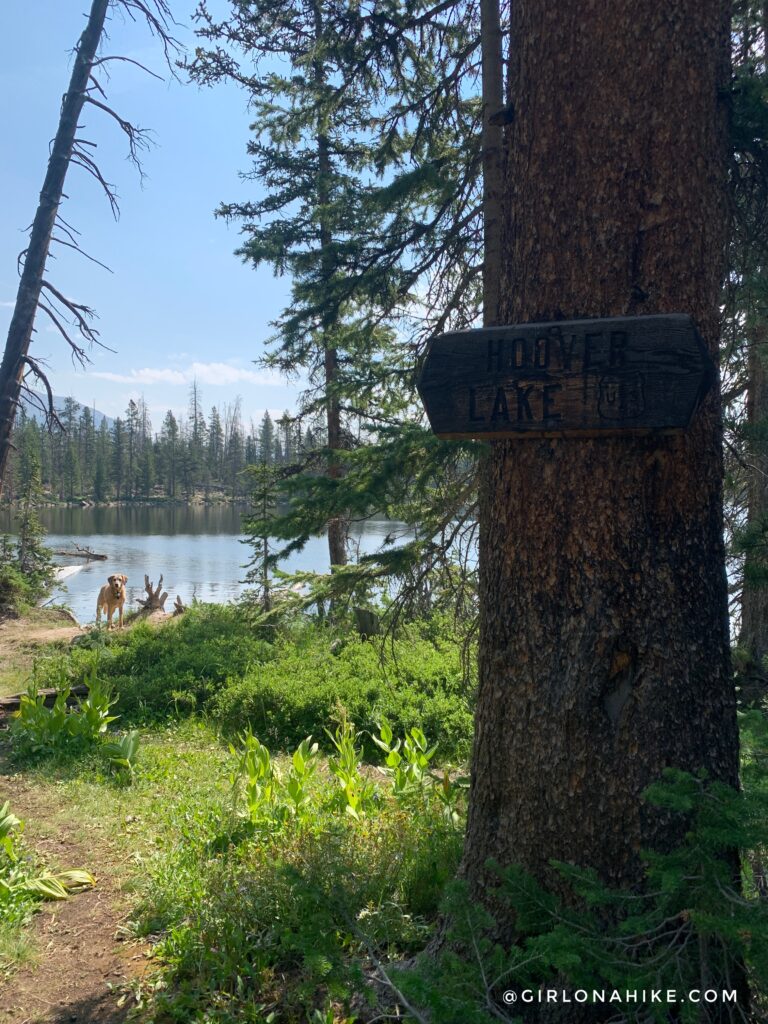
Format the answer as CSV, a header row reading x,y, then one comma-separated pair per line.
x,y
281,682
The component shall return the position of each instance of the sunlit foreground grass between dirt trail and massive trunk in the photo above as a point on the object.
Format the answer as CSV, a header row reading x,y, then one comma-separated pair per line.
x,y
257,907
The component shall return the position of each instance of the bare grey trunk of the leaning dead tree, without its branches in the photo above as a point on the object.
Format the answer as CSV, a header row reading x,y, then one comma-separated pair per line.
x,y
23,321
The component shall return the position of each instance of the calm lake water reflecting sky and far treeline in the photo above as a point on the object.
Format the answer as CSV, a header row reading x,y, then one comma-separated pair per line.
x,y
198,549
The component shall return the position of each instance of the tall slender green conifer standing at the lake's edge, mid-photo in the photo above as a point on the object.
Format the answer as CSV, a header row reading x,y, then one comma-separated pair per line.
x,y
308,151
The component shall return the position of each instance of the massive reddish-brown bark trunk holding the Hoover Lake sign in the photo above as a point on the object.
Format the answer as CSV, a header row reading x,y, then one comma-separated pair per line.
x,y
605,638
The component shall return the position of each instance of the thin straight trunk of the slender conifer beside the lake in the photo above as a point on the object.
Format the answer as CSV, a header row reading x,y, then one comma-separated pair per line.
x,y
337,533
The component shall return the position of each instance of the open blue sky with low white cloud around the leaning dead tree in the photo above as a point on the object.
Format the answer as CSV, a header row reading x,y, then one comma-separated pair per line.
x,y
180,306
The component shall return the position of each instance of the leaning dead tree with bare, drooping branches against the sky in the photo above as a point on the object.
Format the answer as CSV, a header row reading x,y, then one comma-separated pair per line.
x,y
72,320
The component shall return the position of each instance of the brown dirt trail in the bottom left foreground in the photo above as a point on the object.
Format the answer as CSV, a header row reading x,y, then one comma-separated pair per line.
x,y
81,957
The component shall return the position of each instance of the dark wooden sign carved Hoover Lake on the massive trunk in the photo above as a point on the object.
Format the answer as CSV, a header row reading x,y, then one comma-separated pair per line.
x,y
591,377
